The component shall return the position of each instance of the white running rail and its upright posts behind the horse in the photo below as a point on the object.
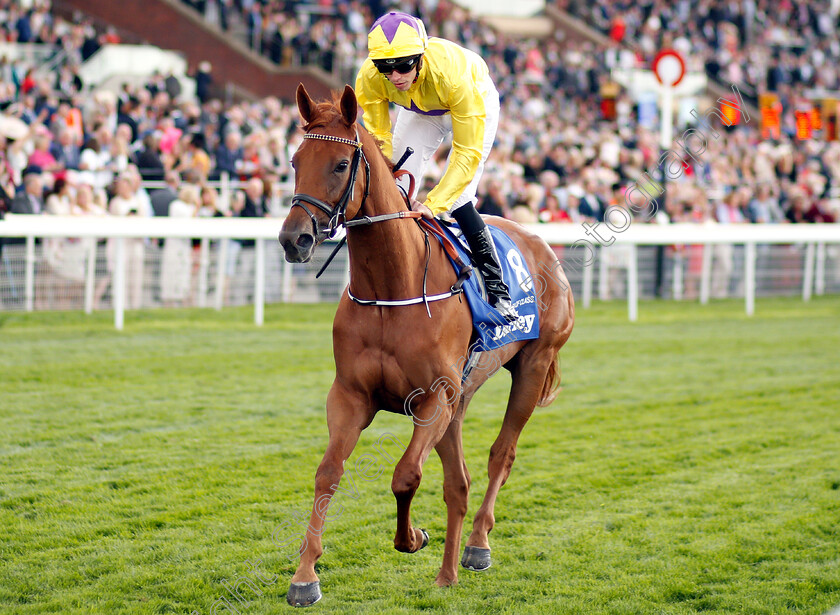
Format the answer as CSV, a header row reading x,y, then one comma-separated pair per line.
x,y
579,258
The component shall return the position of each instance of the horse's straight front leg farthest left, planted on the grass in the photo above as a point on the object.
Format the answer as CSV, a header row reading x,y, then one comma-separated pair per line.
x,y
346,419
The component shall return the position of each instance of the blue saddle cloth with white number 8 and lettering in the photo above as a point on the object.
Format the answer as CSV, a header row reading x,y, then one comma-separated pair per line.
x,y
492,330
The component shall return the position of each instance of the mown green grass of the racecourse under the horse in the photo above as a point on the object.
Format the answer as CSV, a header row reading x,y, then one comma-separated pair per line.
x,y
690,464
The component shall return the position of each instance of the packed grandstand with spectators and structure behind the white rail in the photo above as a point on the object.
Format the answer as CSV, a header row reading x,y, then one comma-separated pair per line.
x,y
163,94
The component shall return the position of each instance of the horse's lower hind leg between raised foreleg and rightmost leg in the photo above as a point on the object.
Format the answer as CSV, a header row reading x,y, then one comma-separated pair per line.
x,y
456,488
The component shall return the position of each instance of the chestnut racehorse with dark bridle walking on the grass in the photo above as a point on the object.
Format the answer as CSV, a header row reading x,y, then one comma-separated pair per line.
x,y
386,355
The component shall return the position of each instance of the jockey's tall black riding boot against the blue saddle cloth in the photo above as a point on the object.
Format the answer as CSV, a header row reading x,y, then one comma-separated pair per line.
x,y
486,259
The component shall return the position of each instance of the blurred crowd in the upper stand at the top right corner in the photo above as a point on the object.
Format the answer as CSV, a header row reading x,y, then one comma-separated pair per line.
x,y
774,46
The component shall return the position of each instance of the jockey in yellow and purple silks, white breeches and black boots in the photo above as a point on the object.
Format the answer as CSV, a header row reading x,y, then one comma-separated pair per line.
x,y
441,88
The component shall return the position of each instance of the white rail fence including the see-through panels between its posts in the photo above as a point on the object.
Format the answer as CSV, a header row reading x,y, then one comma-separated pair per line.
x,y
690,261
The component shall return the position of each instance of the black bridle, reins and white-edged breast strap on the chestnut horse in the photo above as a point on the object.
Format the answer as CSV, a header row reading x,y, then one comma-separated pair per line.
x,y
338,217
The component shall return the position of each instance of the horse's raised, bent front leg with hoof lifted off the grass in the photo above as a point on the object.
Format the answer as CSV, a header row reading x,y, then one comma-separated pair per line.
x,y
431,420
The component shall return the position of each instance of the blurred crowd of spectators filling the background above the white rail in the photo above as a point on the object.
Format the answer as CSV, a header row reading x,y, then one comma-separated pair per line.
x,y
556,158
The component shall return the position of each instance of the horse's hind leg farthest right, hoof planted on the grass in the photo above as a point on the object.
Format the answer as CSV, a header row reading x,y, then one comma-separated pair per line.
x,y
528,379
